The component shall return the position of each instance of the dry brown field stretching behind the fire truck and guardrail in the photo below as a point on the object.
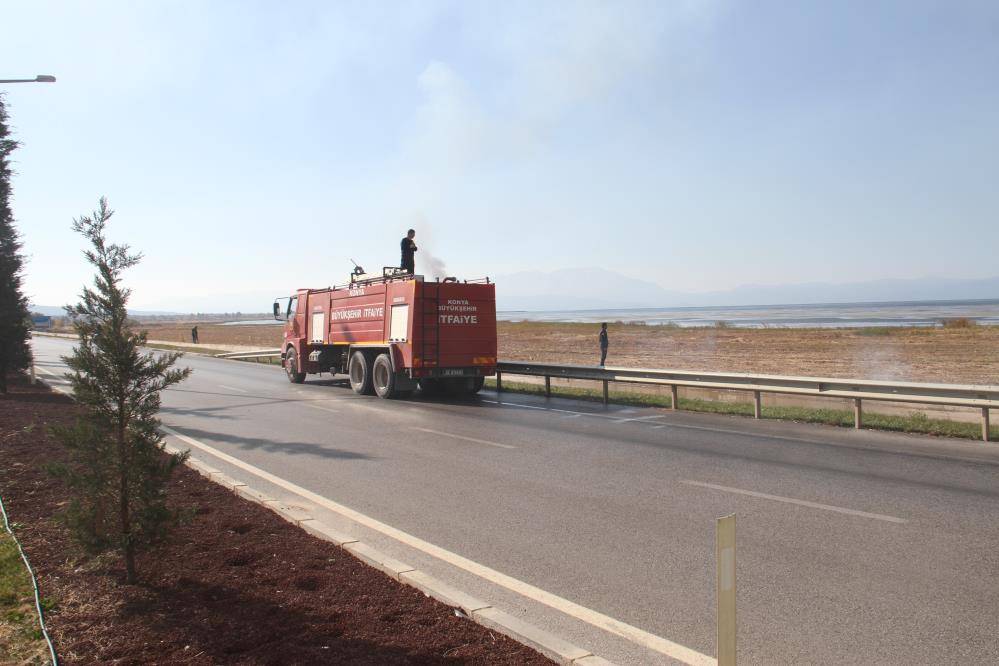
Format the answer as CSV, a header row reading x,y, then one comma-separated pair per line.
x,y
948,355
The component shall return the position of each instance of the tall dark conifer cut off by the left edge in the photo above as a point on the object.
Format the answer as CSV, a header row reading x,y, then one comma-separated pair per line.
x,y
15,353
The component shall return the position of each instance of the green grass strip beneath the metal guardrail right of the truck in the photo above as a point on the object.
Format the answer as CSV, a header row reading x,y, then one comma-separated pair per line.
x,y
910,423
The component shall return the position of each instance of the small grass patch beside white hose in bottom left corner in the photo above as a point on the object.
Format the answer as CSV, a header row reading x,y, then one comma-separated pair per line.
x,y
21,639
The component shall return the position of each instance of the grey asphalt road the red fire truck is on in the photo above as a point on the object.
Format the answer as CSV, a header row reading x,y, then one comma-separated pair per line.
x,y
853,547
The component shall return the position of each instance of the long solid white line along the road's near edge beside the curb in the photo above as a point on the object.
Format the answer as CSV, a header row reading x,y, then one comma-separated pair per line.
x,y
595,618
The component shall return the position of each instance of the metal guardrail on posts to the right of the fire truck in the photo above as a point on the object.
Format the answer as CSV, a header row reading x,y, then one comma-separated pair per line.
x,y
858,390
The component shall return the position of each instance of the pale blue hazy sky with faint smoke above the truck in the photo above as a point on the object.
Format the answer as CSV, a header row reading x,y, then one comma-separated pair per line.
x,y
251,148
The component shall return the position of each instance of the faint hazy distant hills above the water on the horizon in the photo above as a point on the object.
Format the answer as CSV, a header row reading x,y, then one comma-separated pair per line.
x,y
599,289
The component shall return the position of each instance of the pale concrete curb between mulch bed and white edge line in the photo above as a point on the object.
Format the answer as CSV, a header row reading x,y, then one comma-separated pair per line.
x,y
478,611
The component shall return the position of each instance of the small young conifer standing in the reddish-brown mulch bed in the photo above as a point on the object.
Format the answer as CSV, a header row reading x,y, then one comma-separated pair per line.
x,y
118,468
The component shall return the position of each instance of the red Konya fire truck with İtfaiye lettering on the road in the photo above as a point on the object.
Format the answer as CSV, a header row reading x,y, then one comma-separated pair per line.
x,y
392,333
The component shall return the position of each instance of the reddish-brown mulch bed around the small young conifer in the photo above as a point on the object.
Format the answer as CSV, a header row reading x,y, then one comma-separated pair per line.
x,y
235,585
